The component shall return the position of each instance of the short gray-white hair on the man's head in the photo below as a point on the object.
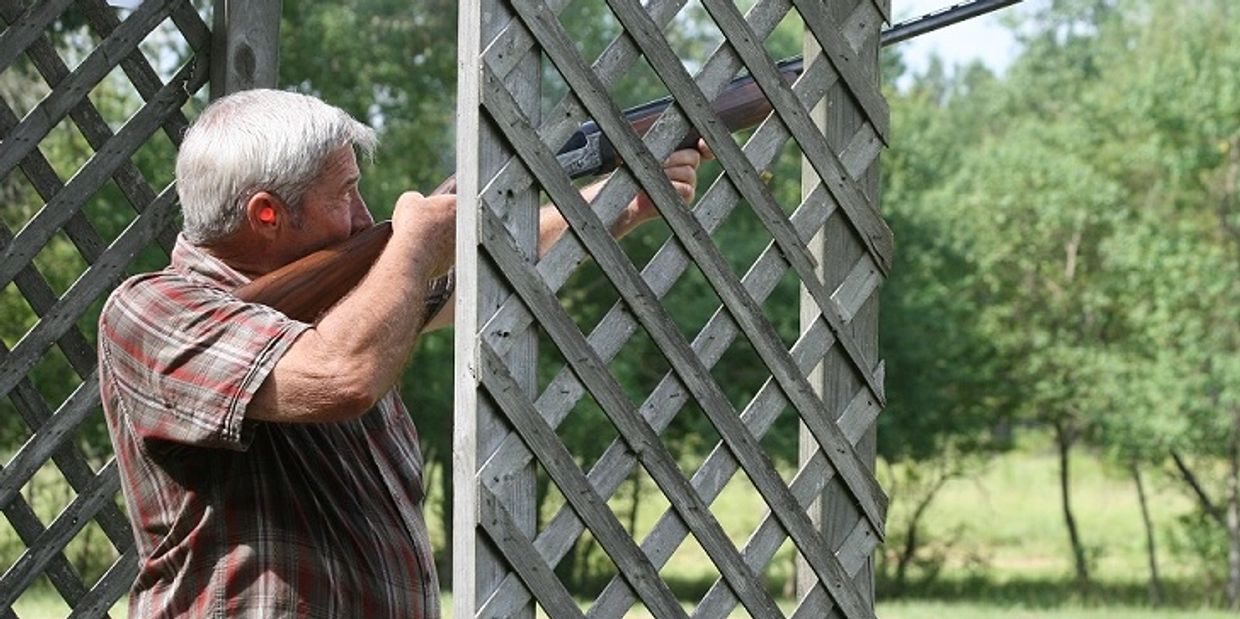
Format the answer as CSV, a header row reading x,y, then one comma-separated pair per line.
x,y
257,141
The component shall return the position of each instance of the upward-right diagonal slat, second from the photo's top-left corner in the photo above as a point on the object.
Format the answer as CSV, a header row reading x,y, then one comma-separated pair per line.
x,y
77,86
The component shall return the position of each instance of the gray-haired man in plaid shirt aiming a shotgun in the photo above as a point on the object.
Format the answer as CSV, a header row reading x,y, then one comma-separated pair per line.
x,y
268,466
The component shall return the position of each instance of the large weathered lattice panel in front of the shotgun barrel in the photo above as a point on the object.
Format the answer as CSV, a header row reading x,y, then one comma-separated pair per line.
x,y
508,156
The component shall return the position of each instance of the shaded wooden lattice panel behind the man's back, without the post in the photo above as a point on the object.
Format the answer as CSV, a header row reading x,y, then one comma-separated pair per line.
x,y
107,97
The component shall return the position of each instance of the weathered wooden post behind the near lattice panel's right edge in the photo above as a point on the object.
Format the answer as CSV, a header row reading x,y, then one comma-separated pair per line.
x,y
852,125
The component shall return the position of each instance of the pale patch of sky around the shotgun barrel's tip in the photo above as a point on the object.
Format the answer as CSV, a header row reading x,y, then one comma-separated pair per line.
x,y
979,39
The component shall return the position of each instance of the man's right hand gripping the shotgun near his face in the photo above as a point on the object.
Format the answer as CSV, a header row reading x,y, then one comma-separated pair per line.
x,y
431,223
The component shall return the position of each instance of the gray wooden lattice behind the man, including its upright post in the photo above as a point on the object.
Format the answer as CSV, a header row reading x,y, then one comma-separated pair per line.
x,y
53,425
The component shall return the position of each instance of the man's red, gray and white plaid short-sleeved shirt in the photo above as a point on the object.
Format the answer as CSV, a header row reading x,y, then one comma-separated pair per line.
x,y
236,518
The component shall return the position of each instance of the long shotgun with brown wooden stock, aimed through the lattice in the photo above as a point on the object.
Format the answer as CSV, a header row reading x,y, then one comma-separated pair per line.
x,y
308,287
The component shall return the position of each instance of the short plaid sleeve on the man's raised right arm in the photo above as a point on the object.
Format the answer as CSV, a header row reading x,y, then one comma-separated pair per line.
x,y
187,359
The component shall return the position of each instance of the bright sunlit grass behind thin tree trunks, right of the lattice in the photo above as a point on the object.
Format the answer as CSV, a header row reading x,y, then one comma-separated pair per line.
x,y
1009,522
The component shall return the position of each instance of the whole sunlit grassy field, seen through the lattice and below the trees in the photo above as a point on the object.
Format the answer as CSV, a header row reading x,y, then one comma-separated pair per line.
x,y
999,535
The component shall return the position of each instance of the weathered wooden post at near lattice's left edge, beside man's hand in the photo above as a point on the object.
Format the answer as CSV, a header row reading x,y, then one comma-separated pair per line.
x,y
480,430
